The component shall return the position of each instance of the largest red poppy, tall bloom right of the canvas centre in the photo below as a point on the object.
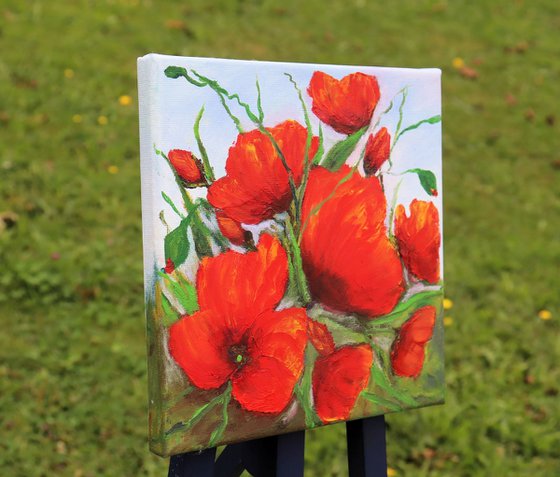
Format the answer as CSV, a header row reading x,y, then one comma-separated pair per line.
x,y
348,259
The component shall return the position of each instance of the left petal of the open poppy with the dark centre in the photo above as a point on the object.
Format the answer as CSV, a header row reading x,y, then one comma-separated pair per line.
x,y
198,343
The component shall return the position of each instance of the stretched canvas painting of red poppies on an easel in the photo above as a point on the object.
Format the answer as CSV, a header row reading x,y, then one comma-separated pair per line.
x,y
292,245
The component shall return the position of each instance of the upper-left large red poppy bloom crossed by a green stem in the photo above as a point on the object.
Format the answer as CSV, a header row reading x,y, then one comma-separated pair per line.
x,y
256,185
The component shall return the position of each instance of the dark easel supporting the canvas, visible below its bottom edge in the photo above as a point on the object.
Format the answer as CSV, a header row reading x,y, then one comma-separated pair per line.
x,y
282,456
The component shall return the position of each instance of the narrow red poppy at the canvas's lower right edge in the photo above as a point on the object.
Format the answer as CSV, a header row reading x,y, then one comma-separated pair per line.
x,y
407,355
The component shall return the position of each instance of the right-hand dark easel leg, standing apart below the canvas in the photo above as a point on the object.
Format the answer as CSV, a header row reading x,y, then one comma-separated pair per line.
x,y
367,456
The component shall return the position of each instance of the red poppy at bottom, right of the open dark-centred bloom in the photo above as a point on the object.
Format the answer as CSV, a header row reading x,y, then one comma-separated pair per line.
x,y
338,380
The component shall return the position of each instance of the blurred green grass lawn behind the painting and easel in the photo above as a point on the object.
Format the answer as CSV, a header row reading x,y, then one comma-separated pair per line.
x,y
72,344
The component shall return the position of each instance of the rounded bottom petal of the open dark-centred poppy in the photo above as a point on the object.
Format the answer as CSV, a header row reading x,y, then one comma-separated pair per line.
x,y
263,385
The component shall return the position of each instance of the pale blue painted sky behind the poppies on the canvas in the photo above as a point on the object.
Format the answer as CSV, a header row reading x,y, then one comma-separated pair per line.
x,y
176,104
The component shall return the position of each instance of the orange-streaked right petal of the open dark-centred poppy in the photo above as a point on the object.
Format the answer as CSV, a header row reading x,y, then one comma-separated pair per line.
x,y
281,335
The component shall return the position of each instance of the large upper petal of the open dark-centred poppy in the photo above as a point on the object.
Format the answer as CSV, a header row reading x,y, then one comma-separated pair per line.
x,y
242,285
